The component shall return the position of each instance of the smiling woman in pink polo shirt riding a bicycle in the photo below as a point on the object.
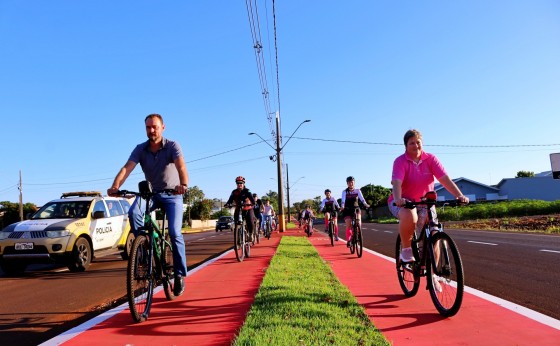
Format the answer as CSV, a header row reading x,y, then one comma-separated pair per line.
x,y
413,176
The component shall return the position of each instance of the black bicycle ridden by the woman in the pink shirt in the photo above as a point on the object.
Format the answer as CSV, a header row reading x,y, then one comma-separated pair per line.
x,y
436,257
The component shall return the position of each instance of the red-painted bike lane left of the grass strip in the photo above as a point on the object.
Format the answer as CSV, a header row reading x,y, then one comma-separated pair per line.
x,y
210,312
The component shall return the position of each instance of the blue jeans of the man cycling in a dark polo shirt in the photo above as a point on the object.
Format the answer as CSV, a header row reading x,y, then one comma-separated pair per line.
x,y
173,207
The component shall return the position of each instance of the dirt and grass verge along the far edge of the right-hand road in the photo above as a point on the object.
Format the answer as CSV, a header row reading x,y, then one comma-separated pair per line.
x,y
541,223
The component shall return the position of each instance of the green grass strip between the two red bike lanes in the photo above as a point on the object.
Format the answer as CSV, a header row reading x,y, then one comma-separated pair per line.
x,y
301,302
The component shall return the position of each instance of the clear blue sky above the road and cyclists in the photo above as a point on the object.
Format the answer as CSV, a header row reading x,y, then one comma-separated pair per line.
x,y
479,79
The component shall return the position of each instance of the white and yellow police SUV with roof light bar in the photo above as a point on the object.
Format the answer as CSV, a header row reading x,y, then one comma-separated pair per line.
x,y
68,230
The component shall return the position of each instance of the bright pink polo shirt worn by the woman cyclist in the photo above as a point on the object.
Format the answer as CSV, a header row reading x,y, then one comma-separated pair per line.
x,y
416,178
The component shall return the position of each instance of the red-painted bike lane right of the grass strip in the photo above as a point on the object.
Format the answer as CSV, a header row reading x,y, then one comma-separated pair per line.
x,y
415,321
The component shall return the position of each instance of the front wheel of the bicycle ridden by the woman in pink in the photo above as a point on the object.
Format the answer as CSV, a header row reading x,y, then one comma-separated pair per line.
x,y
446,281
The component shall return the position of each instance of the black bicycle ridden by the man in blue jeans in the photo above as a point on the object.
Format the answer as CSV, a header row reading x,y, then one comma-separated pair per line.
x,y
151,258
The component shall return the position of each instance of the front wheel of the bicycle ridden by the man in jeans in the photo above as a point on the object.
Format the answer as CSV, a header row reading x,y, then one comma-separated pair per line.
x,y
139,282
